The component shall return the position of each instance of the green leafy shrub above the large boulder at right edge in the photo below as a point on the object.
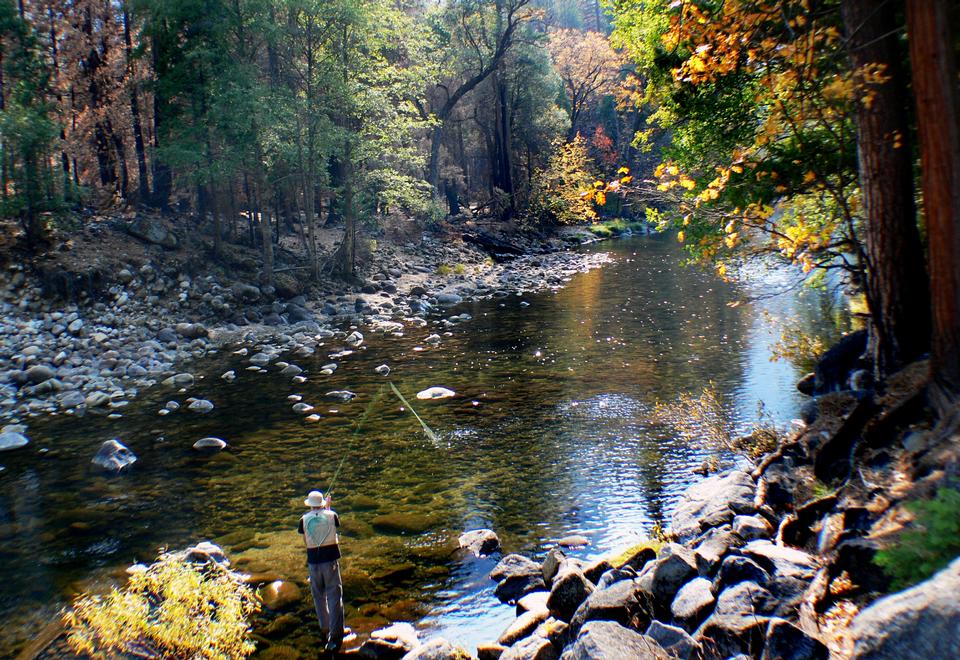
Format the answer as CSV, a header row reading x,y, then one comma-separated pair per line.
x,y
934,543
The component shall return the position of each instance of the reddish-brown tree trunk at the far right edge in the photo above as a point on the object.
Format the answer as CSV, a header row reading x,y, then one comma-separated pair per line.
x,y
938,119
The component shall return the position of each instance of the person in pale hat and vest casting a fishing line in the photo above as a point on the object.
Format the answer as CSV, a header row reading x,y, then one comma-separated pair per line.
x,y
319,529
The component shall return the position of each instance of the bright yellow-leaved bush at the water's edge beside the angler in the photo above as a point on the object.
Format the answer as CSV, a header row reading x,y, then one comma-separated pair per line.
x,y
170,610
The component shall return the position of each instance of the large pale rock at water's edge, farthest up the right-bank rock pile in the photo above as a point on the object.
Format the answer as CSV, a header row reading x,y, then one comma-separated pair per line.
x,y
712,502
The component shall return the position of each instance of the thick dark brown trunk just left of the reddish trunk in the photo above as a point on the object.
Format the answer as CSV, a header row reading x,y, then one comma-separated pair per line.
x,y
897,285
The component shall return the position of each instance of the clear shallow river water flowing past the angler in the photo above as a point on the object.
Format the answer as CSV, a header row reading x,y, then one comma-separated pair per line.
x,y
549,435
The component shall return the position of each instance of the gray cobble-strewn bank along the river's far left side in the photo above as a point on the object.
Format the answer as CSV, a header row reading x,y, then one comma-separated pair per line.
x,y
154,322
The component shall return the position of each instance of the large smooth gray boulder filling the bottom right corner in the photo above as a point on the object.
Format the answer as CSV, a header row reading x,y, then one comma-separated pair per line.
x,y
921,622
